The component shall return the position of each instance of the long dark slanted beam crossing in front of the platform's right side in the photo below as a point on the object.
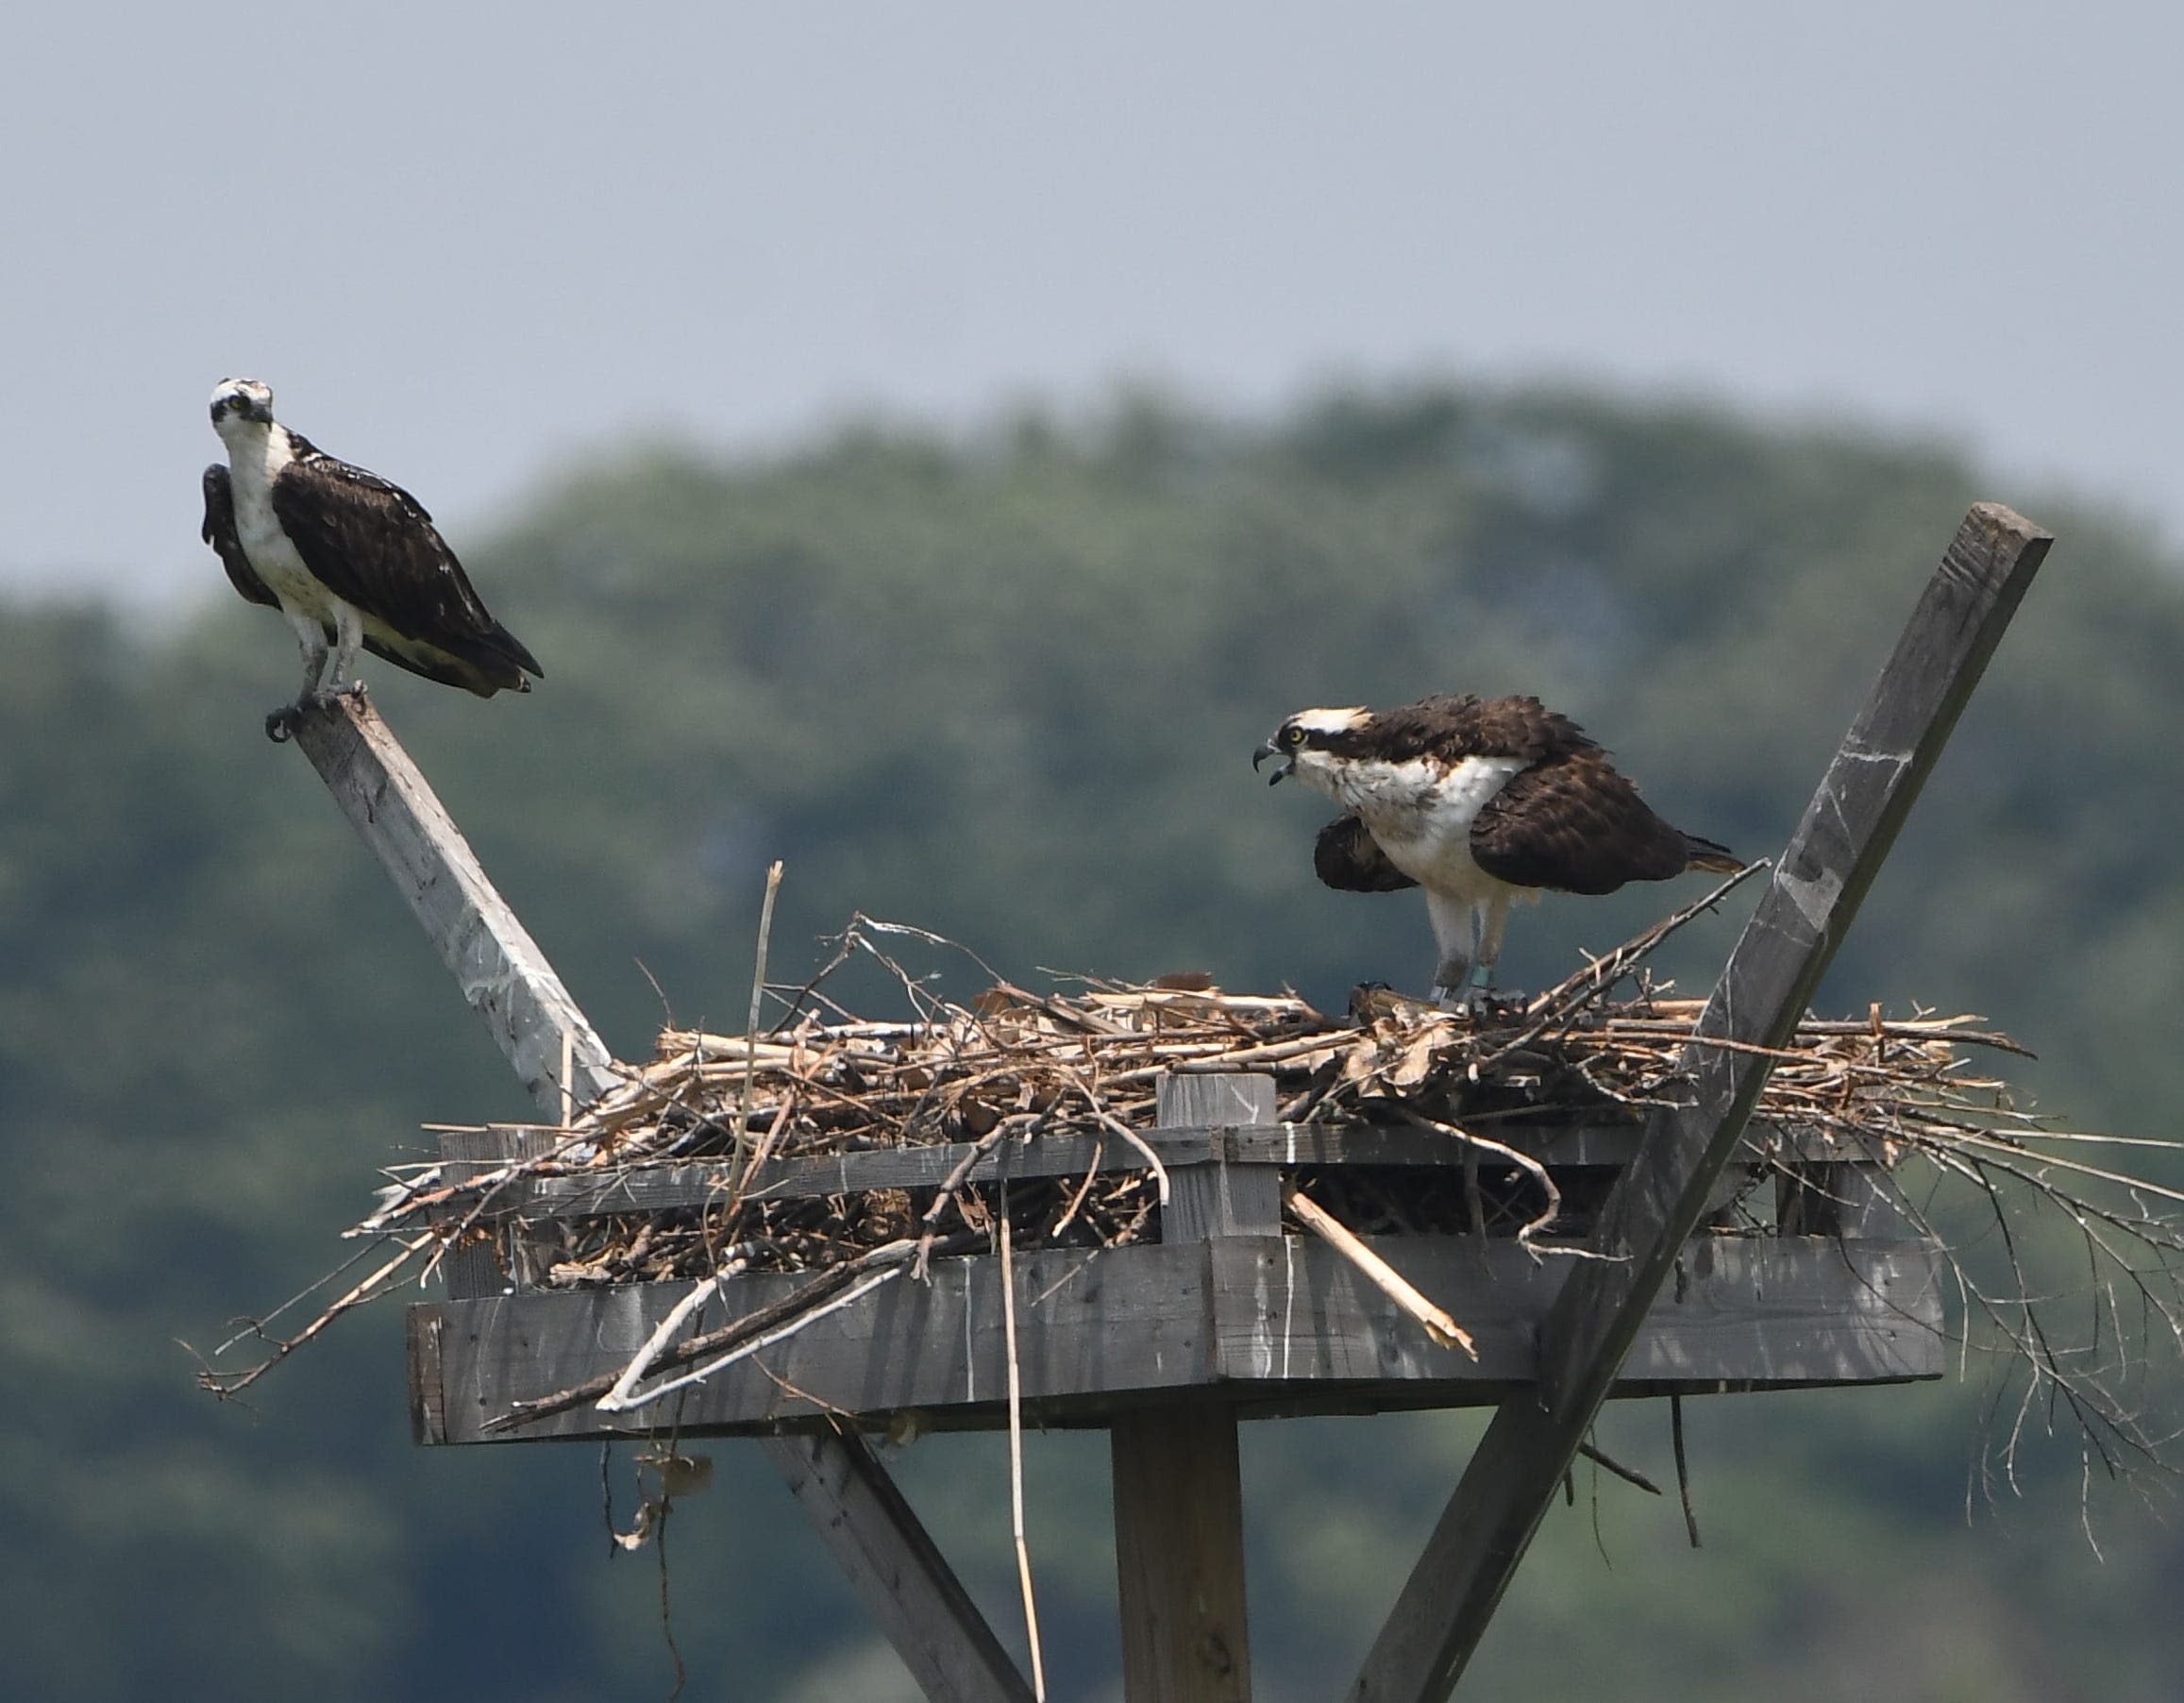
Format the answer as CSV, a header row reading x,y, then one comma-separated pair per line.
x,y
1779,962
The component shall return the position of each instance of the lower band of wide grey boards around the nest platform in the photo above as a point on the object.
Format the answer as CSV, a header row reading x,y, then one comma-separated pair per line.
x,y
1270,1320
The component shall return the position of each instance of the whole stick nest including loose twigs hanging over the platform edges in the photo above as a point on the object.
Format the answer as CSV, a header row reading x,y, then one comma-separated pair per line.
x,y
1017,1067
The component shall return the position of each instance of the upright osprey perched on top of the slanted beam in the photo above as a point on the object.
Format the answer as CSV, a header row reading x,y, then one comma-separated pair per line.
x,y
348,558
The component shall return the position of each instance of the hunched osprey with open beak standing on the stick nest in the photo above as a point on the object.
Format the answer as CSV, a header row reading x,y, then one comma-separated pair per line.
x,y
1482,802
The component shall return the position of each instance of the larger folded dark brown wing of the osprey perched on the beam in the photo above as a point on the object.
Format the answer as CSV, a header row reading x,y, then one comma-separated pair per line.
x,y
375,547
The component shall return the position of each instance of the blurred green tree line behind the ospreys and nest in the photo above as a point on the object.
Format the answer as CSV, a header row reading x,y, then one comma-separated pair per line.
x,y
1006,687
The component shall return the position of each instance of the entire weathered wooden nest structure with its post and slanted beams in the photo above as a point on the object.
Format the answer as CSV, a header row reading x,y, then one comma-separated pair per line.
x,y
1200,1324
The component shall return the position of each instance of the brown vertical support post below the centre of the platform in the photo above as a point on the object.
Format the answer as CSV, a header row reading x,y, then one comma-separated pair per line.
x,y
1178,1556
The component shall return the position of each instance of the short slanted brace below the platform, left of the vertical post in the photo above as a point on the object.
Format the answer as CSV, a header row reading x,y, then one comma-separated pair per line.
x,y
897,1571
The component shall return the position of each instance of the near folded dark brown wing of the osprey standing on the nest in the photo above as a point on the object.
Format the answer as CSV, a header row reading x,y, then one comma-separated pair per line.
x,y
1576,826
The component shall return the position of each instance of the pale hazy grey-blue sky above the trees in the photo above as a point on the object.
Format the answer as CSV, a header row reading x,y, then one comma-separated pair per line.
x,y
471,246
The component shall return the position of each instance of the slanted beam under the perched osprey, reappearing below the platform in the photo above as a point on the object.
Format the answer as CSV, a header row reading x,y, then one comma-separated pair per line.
x,y
508,981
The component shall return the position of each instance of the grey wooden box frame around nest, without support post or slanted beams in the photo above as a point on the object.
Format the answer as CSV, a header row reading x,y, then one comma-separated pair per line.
x,y
1825,1285
